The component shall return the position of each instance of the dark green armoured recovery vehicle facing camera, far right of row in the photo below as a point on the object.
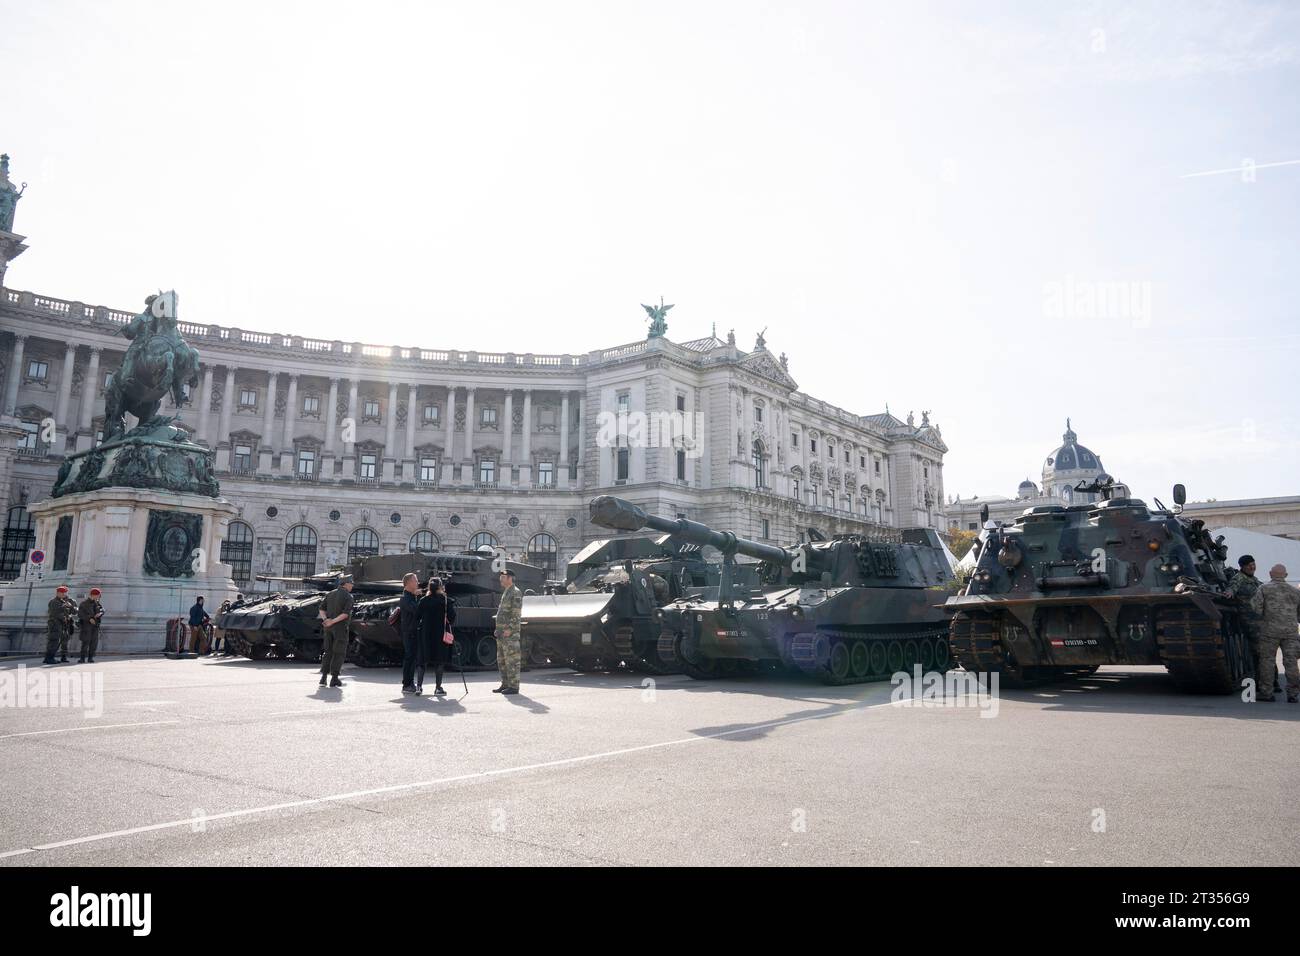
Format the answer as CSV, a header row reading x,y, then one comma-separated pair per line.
x,y
1063,591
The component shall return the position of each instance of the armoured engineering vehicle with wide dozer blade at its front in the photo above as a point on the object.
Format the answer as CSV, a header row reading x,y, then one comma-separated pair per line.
x,y
604,615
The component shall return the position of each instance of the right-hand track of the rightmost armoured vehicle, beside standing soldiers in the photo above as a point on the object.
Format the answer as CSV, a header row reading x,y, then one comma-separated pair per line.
x,y
1202,655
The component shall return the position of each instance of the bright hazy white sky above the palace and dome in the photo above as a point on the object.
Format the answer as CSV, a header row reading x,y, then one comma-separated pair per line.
x,y
991,211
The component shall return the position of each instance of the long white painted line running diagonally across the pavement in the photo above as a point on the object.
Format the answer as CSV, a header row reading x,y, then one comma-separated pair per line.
x,y
419,785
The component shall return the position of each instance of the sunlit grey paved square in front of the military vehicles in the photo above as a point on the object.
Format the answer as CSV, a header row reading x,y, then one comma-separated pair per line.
x,y
215,763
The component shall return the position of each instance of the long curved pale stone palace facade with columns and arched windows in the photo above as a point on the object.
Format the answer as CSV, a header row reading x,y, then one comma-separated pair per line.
x,y
336,449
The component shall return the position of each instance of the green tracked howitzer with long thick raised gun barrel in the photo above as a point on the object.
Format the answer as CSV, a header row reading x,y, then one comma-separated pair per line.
x,y
846,611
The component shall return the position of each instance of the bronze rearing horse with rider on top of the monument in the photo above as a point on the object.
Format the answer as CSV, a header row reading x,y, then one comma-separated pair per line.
x,y
158,364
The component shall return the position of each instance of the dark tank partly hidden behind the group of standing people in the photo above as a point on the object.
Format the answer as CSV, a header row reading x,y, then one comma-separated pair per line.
x,y
471,579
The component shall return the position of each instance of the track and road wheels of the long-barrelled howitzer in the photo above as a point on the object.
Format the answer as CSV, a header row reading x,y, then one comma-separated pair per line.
x,y
852,657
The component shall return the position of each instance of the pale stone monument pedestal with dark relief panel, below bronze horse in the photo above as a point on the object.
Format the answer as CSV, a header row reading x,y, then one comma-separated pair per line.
x,y
150,552
